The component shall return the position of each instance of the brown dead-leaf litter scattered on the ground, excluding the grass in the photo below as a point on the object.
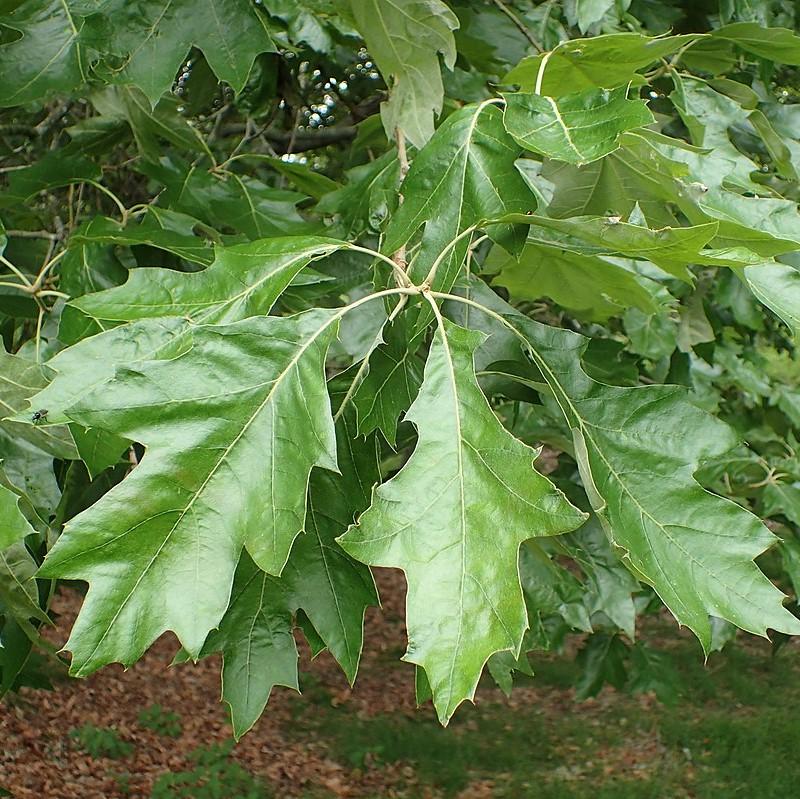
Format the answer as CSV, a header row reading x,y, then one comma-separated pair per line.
x,y
39,759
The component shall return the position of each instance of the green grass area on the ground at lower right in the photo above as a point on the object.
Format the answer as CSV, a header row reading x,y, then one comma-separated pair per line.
x,y
733,733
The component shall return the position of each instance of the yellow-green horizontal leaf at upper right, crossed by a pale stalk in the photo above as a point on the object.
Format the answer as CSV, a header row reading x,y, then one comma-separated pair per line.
x,y
597,62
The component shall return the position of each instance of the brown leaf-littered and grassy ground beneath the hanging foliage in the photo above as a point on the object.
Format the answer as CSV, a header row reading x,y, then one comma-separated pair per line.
x,y
735,729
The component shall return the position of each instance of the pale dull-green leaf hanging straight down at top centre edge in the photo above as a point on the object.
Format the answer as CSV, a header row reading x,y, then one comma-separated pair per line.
x,y
405,38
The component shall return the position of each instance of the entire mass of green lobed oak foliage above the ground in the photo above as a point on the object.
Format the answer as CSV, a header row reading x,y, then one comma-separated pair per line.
x,y
259,258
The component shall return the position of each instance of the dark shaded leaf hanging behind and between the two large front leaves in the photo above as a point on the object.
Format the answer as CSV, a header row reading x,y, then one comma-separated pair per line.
x,y
332,589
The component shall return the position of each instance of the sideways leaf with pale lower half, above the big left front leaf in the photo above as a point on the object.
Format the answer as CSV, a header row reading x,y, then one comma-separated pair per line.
x,y
164,307
